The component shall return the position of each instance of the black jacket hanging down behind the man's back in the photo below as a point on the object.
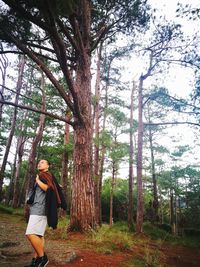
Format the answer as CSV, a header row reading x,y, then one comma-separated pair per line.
x,y
52,205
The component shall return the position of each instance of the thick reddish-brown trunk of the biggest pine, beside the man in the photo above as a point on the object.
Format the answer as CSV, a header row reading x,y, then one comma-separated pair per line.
x,y
82,206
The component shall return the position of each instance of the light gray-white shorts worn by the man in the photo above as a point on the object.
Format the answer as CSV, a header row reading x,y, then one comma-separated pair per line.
x,y
36,225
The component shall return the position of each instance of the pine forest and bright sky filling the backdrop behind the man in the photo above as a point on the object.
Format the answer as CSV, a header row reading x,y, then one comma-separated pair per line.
x,y
88,90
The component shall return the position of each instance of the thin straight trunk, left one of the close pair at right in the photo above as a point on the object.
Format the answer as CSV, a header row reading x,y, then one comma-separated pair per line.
x,y
130,191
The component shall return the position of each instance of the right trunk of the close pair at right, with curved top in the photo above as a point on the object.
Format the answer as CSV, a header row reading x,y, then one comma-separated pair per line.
x,y
140,212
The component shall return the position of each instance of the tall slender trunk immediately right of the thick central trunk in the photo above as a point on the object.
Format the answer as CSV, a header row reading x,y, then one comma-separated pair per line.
x,y
97,182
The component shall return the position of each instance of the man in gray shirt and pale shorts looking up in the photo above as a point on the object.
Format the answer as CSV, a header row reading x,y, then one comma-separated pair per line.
x,y
38,218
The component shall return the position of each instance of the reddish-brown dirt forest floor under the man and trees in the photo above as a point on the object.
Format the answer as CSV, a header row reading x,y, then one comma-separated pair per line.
x,y
75,250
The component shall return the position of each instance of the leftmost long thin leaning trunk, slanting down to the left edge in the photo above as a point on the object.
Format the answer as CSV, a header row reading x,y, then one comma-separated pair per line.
x,y
13,124
